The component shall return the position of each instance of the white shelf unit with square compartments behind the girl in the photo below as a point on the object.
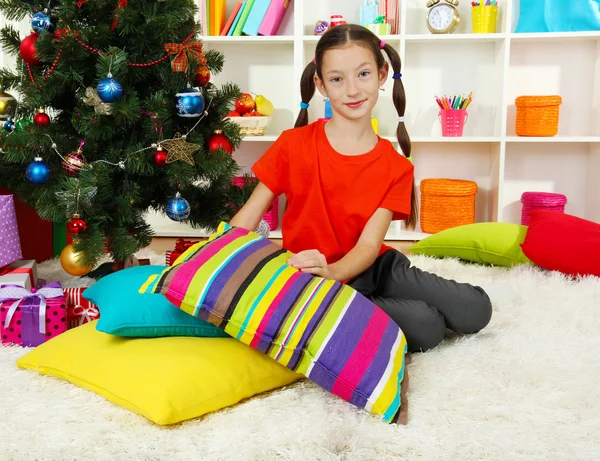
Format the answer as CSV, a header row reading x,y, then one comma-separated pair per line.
x,y
495,67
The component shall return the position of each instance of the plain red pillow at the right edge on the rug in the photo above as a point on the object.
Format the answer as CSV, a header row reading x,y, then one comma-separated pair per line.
x,y
562,242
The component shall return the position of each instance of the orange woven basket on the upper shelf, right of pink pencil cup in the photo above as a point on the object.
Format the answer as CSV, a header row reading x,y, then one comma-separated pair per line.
x,y
537,115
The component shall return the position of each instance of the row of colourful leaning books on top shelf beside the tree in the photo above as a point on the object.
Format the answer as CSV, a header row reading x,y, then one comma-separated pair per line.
x,y
249,17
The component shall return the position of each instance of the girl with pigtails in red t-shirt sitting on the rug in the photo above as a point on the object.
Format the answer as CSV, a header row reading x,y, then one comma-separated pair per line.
x,y
344,185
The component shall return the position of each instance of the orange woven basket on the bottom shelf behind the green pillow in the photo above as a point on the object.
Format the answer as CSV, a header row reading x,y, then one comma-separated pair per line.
x,y
446,203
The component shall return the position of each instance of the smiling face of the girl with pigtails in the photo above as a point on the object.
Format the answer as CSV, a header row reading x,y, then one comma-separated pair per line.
x,y
351,81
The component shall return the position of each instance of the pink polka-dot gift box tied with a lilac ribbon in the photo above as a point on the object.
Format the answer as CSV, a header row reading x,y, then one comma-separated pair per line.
x,y
29,318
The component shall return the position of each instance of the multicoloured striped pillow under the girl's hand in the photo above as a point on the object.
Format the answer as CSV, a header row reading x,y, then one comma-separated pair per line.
x,y
321,329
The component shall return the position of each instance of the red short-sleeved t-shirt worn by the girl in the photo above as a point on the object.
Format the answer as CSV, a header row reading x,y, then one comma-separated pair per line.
x,y
332,196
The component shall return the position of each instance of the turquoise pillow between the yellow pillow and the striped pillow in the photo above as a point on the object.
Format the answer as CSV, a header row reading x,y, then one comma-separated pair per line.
x,y
126,312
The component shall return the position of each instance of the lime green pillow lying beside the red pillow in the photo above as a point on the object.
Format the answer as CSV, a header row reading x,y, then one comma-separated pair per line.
x,y
493,243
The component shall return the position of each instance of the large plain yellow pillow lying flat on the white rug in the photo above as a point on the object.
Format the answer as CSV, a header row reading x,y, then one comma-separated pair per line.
x,y
168,379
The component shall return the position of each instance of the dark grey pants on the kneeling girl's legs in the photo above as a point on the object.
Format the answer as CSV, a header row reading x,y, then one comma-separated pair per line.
x,y
423,304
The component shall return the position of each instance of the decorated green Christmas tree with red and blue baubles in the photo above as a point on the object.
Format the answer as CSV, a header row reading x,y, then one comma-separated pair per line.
x,y
117,115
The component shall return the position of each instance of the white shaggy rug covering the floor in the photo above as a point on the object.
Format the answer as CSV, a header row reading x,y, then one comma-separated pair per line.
x,y
525,388
